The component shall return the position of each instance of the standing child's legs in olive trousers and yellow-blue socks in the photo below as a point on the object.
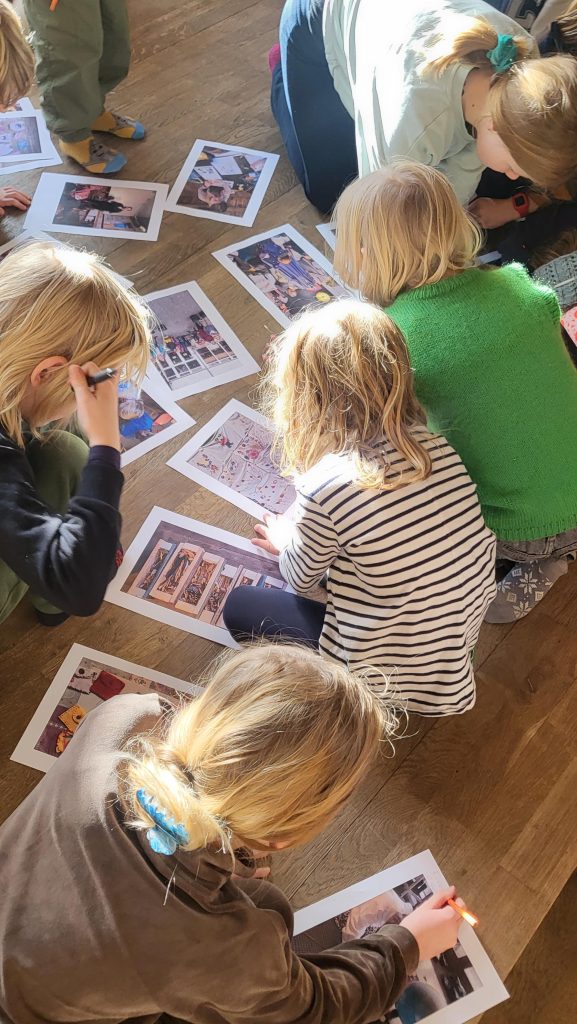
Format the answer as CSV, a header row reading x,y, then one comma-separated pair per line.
x,y
83,54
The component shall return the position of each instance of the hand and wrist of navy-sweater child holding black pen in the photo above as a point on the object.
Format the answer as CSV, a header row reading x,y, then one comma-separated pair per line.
x,y
97,408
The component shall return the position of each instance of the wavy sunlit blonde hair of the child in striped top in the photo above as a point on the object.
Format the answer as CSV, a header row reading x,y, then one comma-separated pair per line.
x,y
340,381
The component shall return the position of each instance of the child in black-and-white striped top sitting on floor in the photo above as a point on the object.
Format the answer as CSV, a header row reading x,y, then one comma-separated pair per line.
x,y
387,513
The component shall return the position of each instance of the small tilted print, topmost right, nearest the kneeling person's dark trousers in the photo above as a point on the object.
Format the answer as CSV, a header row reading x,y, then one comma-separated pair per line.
x,y
223,183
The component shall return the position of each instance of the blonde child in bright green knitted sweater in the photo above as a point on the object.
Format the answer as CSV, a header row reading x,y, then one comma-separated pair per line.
x,y
491,369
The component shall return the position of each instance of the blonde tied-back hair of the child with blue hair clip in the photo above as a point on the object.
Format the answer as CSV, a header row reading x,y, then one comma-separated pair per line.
x,y
278,740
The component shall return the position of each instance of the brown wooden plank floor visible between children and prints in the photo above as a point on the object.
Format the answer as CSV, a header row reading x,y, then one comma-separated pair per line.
x,y
493,794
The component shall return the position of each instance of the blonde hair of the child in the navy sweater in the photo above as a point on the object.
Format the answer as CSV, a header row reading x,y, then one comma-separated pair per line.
x,y
56,301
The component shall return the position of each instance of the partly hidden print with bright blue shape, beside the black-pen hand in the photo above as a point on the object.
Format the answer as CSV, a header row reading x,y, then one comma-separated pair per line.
x,y
148,418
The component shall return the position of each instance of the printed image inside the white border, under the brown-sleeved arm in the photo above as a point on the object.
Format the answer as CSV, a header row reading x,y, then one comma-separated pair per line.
x,y
436,984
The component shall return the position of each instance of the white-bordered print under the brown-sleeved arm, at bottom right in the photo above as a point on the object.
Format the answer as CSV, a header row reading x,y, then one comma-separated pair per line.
x,y
449,990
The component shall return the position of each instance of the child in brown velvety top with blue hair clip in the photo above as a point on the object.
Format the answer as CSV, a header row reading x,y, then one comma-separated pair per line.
x,y
133,850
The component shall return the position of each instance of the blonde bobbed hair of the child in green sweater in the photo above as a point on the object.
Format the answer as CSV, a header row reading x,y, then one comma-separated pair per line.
x,y
399,229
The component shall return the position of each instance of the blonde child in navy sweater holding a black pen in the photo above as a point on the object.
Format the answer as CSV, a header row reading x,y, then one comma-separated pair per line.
x,y
63,315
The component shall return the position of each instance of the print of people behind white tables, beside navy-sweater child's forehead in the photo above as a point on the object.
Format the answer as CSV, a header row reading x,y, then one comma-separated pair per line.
x,y
194,349
